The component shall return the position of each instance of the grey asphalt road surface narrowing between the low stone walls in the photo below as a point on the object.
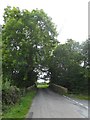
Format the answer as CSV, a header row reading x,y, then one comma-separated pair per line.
x,y
48,104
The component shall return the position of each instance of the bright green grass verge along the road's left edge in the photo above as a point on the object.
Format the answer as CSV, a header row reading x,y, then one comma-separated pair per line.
x,y
20,109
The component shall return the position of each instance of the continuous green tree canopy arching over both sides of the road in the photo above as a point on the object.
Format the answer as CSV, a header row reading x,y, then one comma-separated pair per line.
x,y
30,45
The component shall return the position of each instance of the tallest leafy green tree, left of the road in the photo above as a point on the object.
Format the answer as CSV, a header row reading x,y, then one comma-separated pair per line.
x,y
28,40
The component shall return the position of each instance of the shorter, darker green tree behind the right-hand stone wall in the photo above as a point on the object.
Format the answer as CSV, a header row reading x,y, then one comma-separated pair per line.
x,y
66,69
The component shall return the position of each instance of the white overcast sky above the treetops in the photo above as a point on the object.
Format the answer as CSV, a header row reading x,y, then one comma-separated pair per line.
x,y
70,16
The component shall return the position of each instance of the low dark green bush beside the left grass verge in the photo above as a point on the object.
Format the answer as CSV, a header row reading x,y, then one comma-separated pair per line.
x,y
10,95
